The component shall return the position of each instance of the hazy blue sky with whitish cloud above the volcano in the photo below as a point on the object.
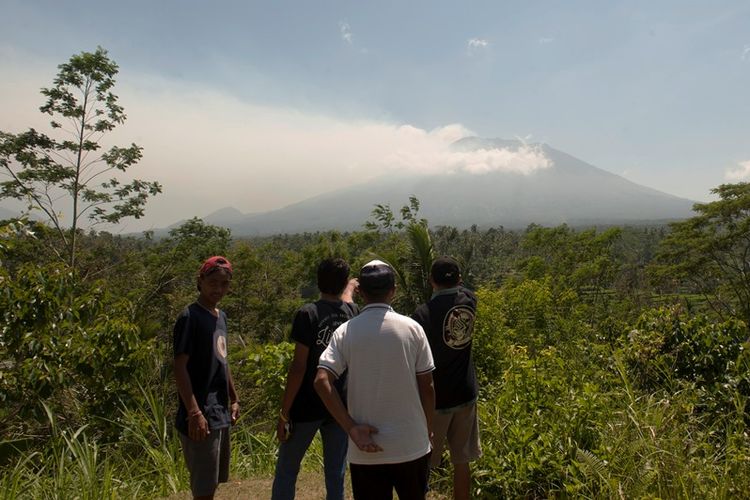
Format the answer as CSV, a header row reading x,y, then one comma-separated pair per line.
x,y
260,104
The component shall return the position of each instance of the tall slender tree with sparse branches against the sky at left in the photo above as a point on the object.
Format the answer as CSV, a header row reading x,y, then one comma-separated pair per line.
x,y
48,173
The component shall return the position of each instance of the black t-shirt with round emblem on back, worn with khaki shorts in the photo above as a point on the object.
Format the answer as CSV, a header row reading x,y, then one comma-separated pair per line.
x,y
448,321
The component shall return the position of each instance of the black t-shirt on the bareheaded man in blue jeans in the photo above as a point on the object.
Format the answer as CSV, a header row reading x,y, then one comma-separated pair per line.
x,y
313,327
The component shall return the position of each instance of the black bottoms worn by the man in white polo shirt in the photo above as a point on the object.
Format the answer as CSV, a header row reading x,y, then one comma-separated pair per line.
x,y
377,482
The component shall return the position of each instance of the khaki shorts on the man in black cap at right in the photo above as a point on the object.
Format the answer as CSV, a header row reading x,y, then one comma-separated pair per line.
x,y
461,430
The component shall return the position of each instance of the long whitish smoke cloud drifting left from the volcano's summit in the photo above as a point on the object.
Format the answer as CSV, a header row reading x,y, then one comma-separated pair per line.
x,y
211,150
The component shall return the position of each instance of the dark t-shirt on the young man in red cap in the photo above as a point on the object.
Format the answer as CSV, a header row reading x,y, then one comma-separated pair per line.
x,y
203,337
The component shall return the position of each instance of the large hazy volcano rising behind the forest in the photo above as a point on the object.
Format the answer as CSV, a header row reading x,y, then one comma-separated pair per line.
x,y
568,191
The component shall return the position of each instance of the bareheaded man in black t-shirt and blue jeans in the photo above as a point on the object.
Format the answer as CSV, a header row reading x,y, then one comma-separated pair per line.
x,y
302,412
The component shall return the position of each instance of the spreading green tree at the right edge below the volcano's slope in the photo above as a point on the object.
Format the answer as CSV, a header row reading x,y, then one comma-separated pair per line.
x,y
711,251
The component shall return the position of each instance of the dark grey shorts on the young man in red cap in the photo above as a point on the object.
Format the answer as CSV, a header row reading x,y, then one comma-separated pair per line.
x,y
207,461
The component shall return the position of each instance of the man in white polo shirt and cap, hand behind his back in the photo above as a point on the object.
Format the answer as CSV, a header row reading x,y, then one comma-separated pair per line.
x,y
390,398
